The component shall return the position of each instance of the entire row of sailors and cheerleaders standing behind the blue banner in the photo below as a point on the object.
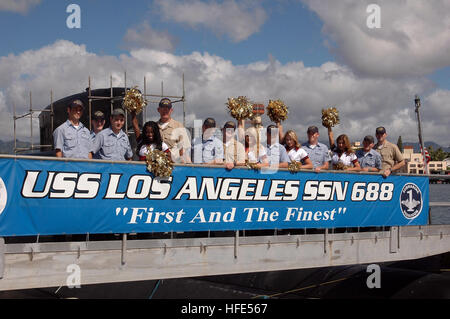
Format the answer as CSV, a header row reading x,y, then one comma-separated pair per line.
x,y
237,147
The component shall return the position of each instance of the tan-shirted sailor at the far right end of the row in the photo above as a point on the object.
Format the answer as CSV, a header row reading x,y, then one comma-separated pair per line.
x,y
392,158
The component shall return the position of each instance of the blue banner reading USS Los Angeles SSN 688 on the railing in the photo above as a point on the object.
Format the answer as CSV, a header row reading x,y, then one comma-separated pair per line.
x,y
50,197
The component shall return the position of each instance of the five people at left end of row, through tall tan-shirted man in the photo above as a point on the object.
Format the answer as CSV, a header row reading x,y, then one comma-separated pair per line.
x,y
73,140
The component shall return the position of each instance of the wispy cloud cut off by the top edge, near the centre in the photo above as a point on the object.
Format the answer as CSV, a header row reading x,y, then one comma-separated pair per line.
x,y
236,19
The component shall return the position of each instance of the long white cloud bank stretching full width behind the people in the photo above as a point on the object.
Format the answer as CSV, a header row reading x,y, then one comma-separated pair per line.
x,y
364,103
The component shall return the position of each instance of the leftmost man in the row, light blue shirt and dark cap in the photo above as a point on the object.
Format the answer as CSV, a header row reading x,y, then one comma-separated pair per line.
x,y
72,138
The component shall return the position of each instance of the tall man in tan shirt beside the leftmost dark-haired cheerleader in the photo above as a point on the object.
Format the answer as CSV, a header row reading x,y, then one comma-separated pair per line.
x,y
173,133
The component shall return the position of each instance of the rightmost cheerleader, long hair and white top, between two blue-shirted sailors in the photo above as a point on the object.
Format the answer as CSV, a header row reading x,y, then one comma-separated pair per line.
x,y
344,158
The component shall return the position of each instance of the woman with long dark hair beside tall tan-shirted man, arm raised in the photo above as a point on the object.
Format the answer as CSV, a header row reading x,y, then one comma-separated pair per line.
x,y
149,139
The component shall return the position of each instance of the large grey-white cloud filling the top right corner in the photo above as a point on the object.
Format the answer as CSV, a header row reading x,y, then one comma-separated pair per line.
x,y
414,38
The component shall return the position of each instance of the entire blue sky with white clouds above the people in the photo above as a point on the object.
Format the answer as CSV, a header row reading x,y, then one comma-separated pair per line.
x,y
310,53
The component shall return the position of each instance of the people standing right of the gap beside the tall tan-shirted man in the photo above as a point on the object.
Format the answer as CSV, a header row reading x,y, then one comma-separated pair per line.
x,y
240,146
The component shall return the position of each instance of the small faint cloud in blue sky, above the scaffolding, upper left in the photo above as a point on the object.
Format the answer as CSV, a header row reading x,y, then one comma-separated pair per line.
x,y
144,36
